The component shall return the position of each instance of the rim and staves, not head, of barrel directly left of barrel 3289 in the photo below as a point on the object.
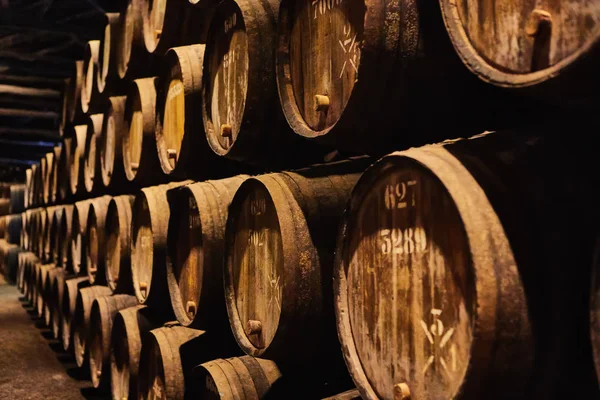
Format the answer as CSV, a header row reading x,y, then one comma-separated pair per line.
x,y
281,189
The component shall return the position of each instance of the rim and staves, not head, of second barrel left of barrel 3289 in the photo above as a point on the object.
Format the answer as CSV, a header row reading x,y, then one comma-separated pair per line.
x,y
209,311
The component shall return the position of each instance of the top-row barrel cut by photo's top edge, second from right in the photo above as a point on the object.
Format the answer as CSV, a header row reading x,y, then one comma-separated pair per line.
x,y
133,61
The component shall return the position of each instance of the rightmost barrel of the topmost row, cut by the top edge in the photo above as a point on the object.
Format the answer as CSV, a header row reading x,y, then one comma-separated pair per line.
x,y
169,23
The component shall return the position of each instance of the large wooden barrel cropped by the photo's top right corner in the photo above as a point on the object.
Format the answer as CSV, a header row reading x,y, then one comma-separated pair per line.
x,y
558,44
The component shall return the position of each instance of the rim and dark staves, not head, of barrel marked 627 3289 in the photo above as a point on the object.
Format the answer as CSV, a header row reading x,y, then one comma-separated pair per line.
x,y
468,153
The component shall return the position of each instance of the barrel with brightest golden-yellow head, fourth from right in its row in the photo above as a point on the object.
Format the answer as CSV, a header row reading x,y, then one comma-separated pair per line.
x,y
181,147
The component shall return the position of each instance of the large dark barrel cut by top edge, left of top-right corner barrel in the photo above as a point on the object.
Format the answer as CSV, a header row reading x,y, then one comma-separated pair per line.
x,y
353,72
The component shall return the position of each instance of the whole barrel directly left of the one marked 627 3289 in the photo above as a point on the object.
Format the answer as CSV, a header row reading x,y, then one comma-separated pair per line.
x,y
279,244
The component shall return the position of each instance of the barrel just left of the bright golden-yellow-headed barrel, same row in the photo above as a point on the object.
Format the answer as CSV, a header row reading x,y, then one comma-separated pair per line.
x,y
140,158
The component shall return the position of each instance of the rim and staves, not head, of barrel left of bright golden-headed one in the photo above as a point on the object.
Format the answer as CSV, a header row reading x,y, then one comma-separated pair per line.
x,y
148,171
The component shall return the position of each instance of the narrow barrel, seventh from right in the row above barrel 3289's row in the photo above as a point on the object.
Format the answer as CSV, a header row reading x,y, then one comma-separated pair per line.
x,y
91,169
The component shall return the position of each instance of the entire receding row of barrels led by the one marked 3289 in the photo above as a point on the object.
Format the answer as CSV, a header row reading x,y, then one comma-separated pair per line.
x,y
435,268
